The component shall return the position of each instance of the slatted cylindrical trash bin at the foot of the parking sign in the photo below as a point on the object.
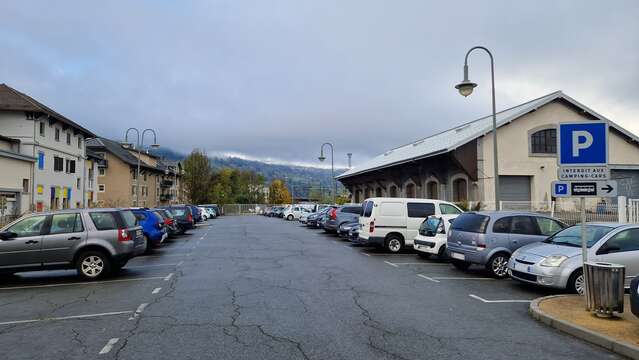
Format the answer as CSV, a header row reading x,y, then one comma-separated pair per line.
x,y
605,288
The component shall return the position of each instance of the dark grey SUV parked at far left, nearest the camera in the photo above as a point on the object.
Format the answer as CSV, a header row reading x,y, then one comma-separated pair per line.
x,y
96,242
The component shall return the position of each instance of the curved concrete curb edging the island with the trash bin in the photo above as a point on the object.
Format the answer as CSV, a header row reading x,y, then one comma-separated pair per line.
x,y
616,346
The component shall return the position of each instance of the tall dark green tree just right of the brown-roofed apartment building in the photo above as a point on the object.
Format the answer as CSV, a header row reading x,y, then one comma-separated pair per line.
x,y
197,177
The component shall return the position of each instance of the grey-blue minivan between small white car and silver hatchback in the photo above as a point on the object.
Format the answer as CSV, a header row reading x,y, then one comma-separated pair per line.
x,y
488,238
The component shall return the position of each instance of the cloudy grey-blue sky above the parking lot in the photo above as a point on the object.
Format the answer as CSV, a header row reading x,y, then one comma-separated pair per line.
x,y
276,79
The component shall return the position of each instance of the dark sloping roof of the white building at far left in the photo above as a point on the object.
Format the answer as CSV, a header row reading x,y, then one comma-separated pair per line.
x,y
12,99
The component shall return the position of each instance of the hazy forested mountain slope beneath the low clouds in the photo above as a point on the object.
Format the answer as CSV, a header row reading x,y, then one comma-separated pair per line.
x,y
300,177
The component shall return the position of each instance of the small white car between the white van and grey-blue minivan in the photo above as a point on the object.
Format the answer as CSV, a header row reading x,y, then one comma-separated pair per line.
x,y
433,235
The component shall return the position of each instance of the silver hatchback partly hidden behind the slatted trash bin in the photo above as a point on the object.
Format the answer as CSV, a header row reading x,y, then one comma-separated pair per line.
x,y
556,262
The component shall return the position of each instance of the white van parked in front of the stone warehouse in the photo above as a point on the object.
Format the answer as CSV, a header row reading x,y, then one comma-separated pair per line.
x,y
393,223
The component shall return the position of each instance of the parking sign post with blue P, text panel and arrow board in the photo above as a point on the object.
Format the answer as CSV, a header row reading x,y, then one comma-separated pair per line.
x,y
583,170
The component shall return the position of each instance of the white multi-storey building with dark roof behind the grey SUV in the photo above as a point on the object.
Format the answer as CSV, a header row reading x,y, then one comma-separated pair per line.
x,y
56,143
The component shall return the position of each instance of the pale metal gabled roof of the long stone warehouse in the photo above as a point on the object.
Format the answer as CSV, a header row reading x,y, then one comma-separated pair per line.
x,y
451,139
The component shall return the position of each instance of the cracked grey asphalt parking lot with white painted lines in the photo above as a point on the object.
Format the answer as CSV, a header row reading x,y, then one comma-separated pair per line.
x,y
262,288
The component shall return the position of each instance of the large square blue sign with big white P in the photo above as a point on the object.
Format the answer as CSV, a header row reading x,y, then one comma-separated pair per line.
x,y
583,144
